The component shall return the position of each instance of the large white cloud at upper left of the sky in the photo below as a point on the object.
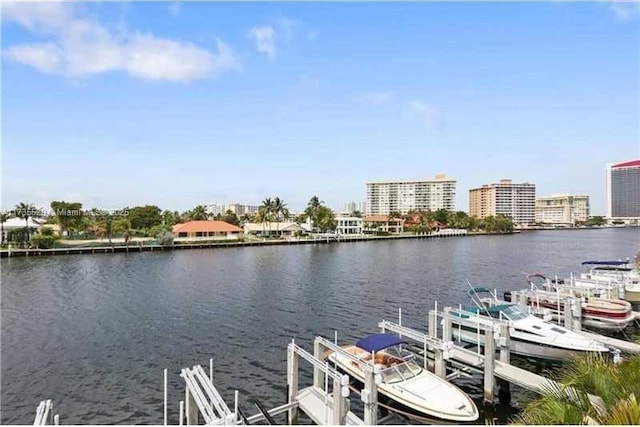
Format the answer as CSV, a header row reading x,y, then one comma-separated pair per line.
x,y
83,47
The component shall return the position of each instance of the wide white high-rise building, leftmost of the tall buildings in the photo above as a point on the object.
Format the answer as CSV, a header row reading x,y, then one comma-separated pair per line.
x,y
384,197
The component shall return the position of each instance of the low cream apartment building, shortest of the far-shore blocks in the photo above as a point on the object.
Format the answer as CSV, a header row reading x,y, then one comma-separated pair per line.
x,y
562,209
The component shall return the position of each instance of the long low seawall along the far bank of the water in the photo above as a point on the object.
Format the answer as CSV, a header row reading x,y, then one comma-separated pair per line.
x,y
223,244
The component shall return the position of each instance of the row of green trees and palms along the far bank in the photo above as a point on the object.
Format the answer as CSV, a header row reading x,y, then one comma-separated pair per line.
x,y
151,221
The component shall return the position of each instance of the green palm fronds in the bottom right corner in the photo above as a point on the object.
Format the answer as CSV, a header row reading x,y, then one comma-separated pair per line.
x,y
594,391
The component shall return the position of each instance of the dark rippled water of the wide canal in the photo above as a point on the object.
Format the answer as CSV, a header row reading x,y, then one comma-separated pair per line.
x,y
94,332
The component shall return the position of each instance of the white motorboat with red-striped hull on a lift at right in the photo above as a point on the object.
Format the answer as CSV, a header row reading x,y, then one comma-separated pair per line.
x,y
597,313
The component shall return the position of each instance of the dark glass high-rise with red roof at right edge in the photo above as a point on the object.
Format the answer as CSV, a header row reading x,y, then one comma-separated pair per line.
x,y
623,191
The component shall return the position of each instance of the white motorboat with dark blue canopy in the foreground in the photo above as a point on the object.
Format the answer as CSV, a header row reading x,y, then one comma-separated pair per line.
x,y
404,381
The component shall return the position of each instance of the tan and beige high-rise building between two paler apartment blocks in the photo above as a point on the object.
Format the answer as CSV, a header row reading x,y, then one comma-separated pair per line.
x,y
504,198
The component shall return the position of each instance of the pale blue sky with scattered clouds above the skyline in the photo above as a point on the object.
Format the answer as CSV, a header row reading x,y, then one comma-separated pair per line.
x,y
119,104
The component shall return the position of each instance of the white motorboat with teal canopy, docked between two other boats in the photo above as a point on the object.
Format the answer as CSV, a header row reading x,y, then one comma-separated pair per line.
x,y
529,335
